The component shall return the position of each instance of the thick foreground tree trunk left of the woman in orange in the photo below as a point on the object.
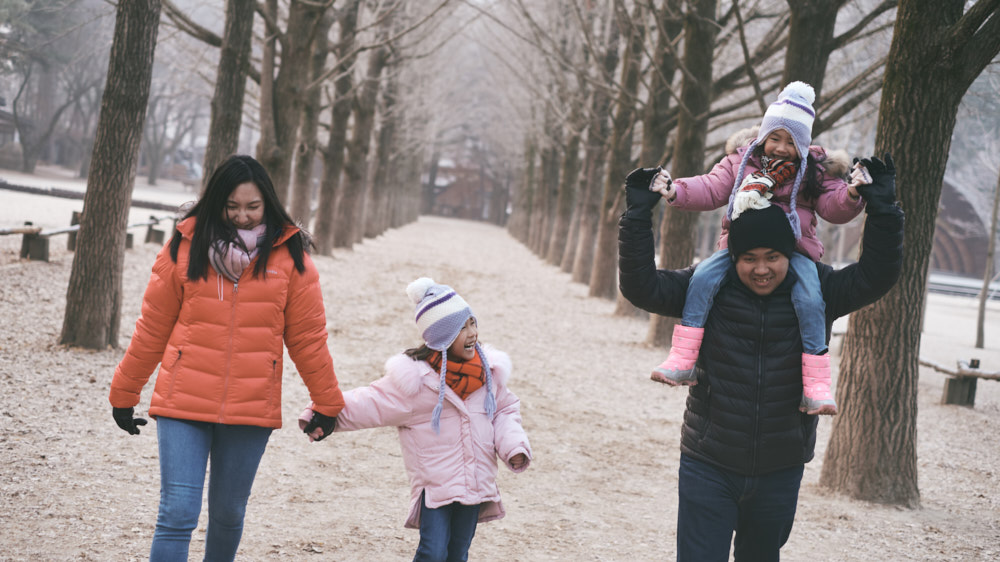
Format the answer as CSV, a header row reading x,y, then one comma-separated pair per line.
x,y
93,298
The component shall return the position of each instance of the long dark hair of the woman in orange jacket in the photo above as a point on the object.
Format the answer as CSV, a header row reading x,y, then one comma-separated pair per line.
x,y
210,210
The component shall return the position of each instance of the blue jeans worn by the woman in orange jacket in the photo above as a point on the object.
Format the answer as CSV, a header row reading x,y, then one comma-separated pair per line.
x,y
185,449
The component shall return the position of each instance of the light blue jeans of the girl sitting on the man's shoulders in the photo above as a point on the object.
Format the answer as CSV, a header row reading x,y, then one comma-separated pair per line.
x,y
806,297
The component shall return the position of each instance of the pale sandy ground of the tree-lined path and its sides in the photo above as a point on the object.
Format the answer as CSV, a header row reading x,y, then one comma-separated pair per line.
x,y
603,483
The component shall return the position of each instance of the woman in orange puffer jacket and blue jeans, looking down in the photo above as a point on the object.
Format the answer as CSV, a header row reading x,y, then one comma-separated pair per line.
x,y
233,284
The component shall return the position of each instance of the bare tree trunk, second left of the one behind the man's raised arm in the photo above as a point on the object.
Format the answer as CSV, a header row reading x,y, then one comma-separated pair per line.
x,y
603,276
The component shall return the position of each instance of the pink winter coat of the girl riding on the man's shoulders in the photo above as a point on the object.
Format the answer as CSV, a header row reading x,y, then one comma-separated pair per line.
x,y
711,191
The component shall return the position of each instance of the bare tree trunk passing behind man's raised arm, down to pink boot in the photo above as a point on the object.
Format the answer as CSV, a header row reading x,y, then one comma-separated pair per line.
x,y
676,241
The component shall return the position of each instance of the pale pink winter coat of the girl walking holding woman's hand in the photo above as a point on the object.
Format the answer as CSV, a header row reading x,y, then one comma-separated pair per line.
x,y
460,463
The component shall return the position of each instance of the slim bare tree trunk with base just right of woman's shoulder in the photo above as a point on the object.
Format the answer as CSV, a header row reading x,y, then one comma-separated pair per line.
x,y
340,114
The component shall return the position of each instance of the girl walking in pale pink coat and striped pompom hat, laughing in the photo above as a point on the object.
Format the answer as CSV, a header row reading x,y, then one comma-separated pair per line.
x,y
449,401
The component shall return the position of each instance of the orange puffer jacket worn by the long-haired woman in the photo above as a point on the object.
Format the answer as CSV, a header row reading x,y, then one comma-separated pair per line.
x,y
219,343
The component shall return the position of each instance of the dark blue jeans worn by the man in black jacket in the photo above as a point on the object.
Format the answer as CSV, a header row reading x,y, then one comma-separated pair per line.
x,y
714,503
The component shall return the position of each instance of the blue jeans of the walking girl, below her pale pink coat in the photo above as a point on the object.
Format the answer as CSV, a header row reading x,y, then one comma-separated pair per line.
x,y
446,532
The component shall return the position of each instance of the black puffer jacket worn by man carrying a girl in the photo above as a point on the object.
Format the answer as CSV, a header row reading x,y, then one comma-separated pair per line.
x,y
743,414
